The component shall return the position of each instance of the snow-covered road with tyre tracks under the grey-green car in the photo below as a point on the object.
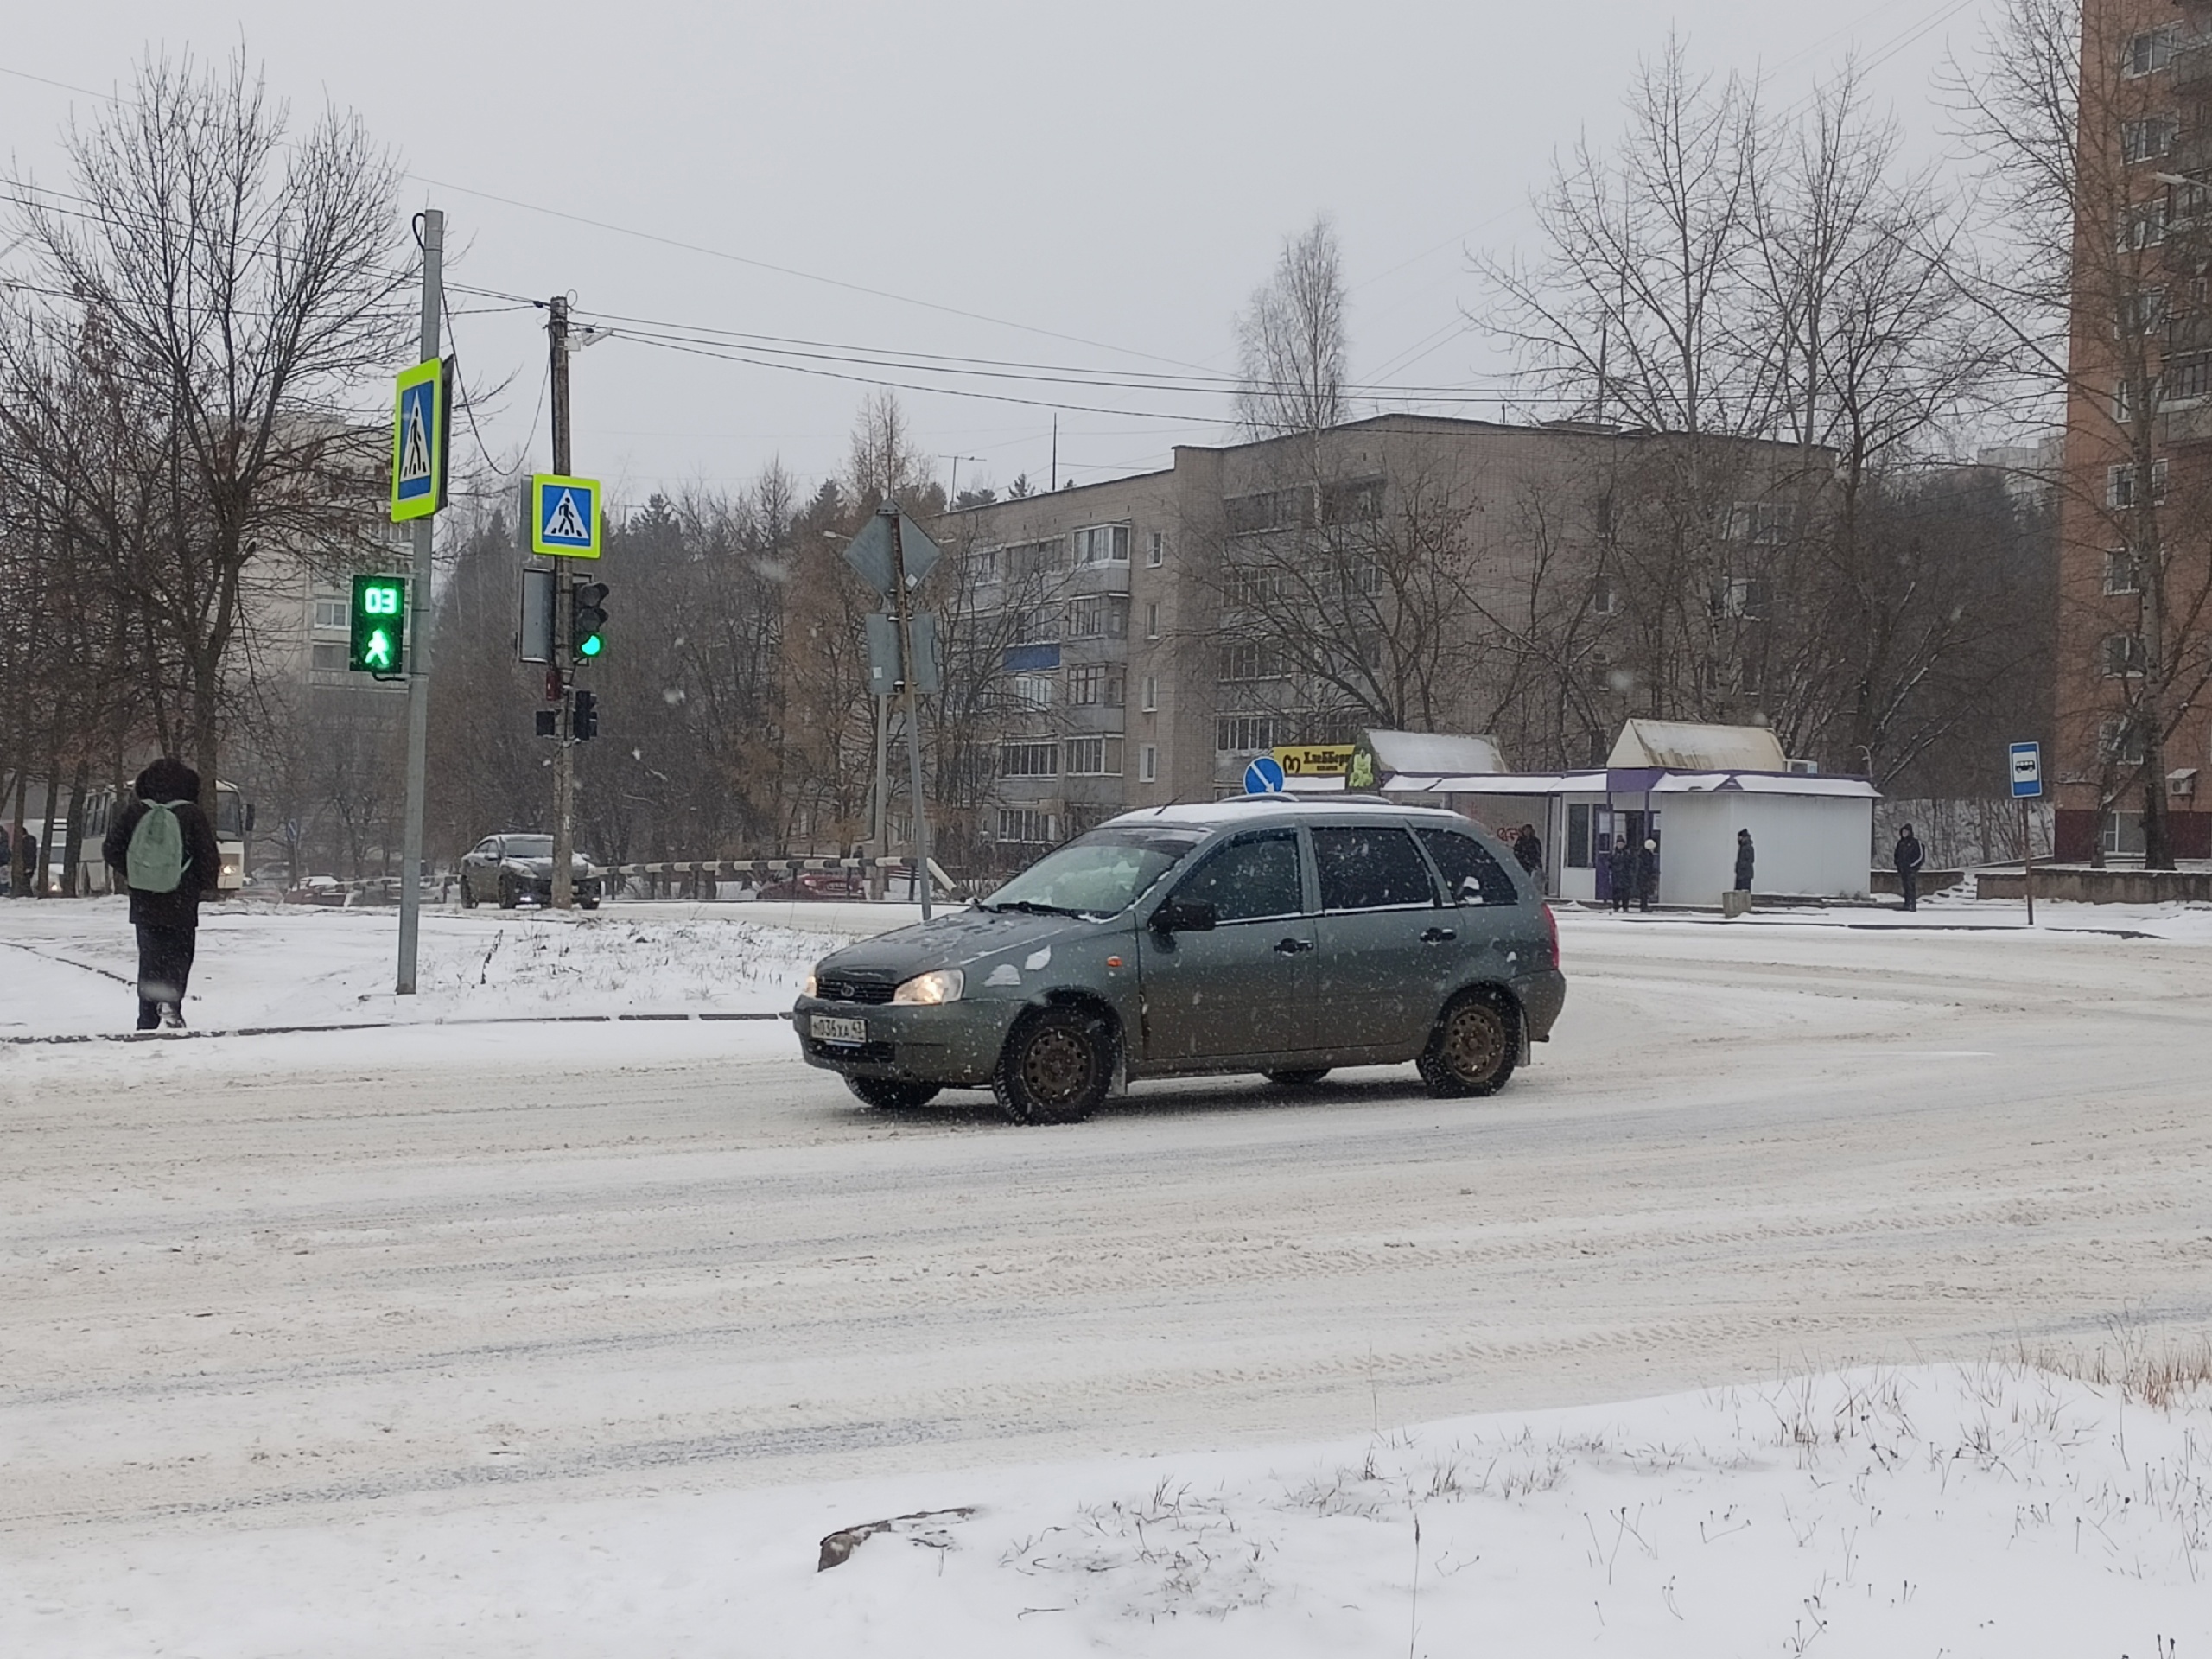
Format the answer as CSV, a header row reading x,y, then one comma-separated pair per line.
x,y
353,1275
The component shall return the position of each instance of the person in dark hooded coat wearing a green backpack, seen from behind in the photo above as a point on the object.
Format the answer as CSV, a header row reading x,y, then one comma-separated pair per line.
x,y
163,848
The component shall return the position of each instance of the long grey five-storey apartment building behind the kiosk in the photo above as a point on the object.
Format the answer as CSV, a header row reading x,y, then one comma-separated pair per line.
x,y
1149,636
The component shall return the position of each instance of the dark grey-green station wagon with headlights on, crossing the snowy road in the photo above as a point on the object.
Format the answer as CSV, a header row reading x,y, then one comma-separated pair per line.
x,y
1266,935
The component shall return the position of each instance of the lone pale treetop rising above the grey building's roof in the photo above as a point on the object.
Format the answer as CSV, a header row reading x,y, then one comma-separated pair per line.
x,y
1291,342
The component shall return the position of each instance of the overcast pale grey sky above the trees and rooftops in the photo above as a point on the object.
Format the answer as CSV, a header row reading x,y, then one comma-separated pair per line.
x,y
1052,185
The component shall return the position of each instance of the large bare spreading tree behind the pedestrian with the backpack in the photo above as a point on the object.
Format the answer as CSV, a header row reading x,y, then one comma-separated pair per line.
x,y
244,286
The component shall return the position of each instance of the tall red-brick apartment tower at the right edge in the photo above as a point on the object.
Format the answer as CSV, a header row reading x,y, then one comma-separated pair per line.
x,y
2136,503
